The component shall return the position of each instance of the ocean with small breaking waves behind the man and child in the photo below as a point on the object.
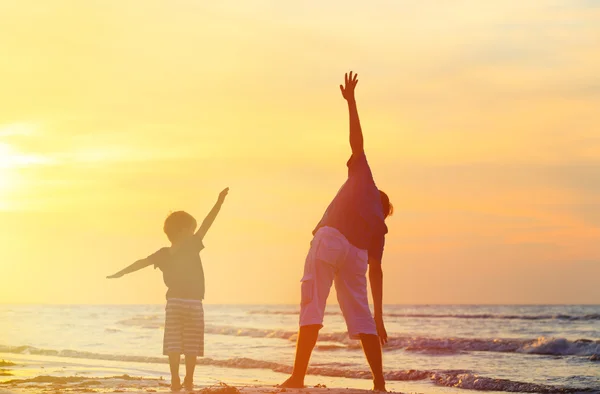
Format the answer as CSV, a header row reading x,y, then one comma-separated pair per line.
x,y
432,348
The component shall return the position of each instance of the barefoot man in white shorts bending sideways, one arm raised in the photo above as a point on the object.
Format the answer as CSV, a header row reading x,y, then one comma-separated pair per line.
x,y
349,239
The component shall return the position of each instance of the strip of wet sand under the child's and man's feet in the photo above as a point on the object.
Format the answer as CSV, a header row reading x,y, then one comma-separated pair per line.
x,y
29,374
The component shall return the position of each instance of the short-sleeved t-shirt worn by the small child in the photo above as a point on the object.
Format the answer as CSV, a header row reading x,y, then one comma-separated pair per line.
x,y
182,269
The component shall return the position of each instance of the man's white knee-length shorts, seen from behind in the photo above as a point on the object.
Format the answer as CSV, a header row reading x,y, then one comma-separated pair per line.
x,y
332,259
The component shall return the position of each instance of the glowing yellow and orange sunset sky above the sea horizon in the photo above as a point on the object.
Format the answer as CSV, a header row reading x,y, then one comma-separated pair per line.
x,y
481,121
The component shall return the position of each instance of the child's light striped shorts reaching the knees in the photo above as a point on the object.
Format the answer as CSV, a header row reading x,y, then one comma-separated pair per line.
x,y
184,327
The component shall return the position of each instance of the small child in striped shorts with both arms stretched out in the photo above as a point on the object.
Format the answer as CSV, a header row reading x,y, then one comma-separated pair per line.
x,y
182,272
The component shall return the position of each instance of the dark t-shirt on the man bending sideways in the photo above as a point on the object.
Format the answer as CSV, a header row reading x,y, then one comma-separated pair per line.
x,y
356,210
